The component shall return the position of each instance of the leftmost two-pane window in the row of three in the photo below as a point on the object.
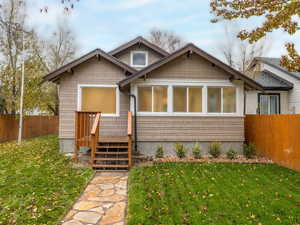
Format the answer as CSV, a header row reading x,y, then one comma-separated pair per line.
x,y
153,99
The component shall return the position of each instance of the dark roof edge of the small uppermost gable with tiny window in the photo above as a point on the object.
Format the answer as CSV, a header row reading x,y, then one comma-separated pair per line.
x,y
139,40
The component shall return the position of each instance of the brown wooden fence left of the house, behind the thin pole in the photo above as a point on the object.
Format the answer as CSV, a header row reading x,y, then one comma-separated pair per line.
x,y
34,126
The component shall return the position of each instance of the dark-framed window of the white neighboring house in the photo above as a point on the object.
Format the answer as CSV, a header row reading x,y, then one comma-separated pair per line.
x,y
269,103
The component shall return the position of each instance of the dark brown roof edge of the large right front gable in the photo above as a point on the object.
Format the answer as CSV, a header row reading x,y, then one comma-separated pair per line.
x,y
191,49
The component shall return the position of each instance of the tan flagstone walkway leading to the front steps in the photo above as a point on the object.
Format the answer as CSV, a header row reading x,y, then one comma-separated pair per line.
x,y
102,203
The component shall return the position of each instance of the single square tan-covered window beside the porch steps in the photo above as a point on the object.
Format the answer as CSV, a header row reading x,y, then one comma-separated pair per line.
x,y
99,99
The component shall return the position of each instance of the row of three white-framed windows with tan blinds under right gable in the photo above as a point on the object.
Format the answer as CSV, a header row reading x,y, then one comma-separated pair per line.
x,y
187,100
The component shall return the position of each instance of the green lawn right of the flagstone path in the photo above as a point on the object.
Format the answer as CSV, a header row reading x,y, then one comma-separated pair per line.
x,y
214,193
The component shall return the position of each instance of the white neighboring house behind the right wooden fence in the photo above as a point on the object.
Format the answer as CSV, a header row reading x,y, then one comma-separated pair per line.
x,y
281,93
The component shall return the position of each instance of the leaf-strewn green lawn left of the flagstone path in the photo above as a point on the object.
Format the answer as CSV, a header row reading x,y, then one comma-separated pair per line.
x,y
37,183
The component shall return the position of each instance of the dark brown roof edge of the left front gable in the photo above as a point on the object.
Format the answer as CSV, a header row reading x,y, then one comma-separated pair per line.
x,y
53,76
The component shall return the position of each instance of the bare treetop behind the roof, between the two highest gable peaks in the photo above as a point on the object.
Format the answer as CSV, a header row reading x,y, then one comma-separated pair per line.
x,y
165,39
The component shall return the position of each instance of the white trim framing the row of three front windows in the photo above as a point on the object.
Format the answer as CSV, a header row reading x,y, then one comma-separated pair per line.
x,y
198,83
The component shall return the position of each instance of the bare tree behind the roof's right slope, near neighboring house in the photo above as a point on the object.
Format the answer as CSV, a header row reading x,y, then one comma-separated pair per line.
x,y
237,53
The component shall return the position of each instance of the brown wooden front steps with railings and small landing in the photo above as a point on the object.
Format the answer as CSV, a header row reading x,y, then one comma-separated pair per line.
x,y
104,152
